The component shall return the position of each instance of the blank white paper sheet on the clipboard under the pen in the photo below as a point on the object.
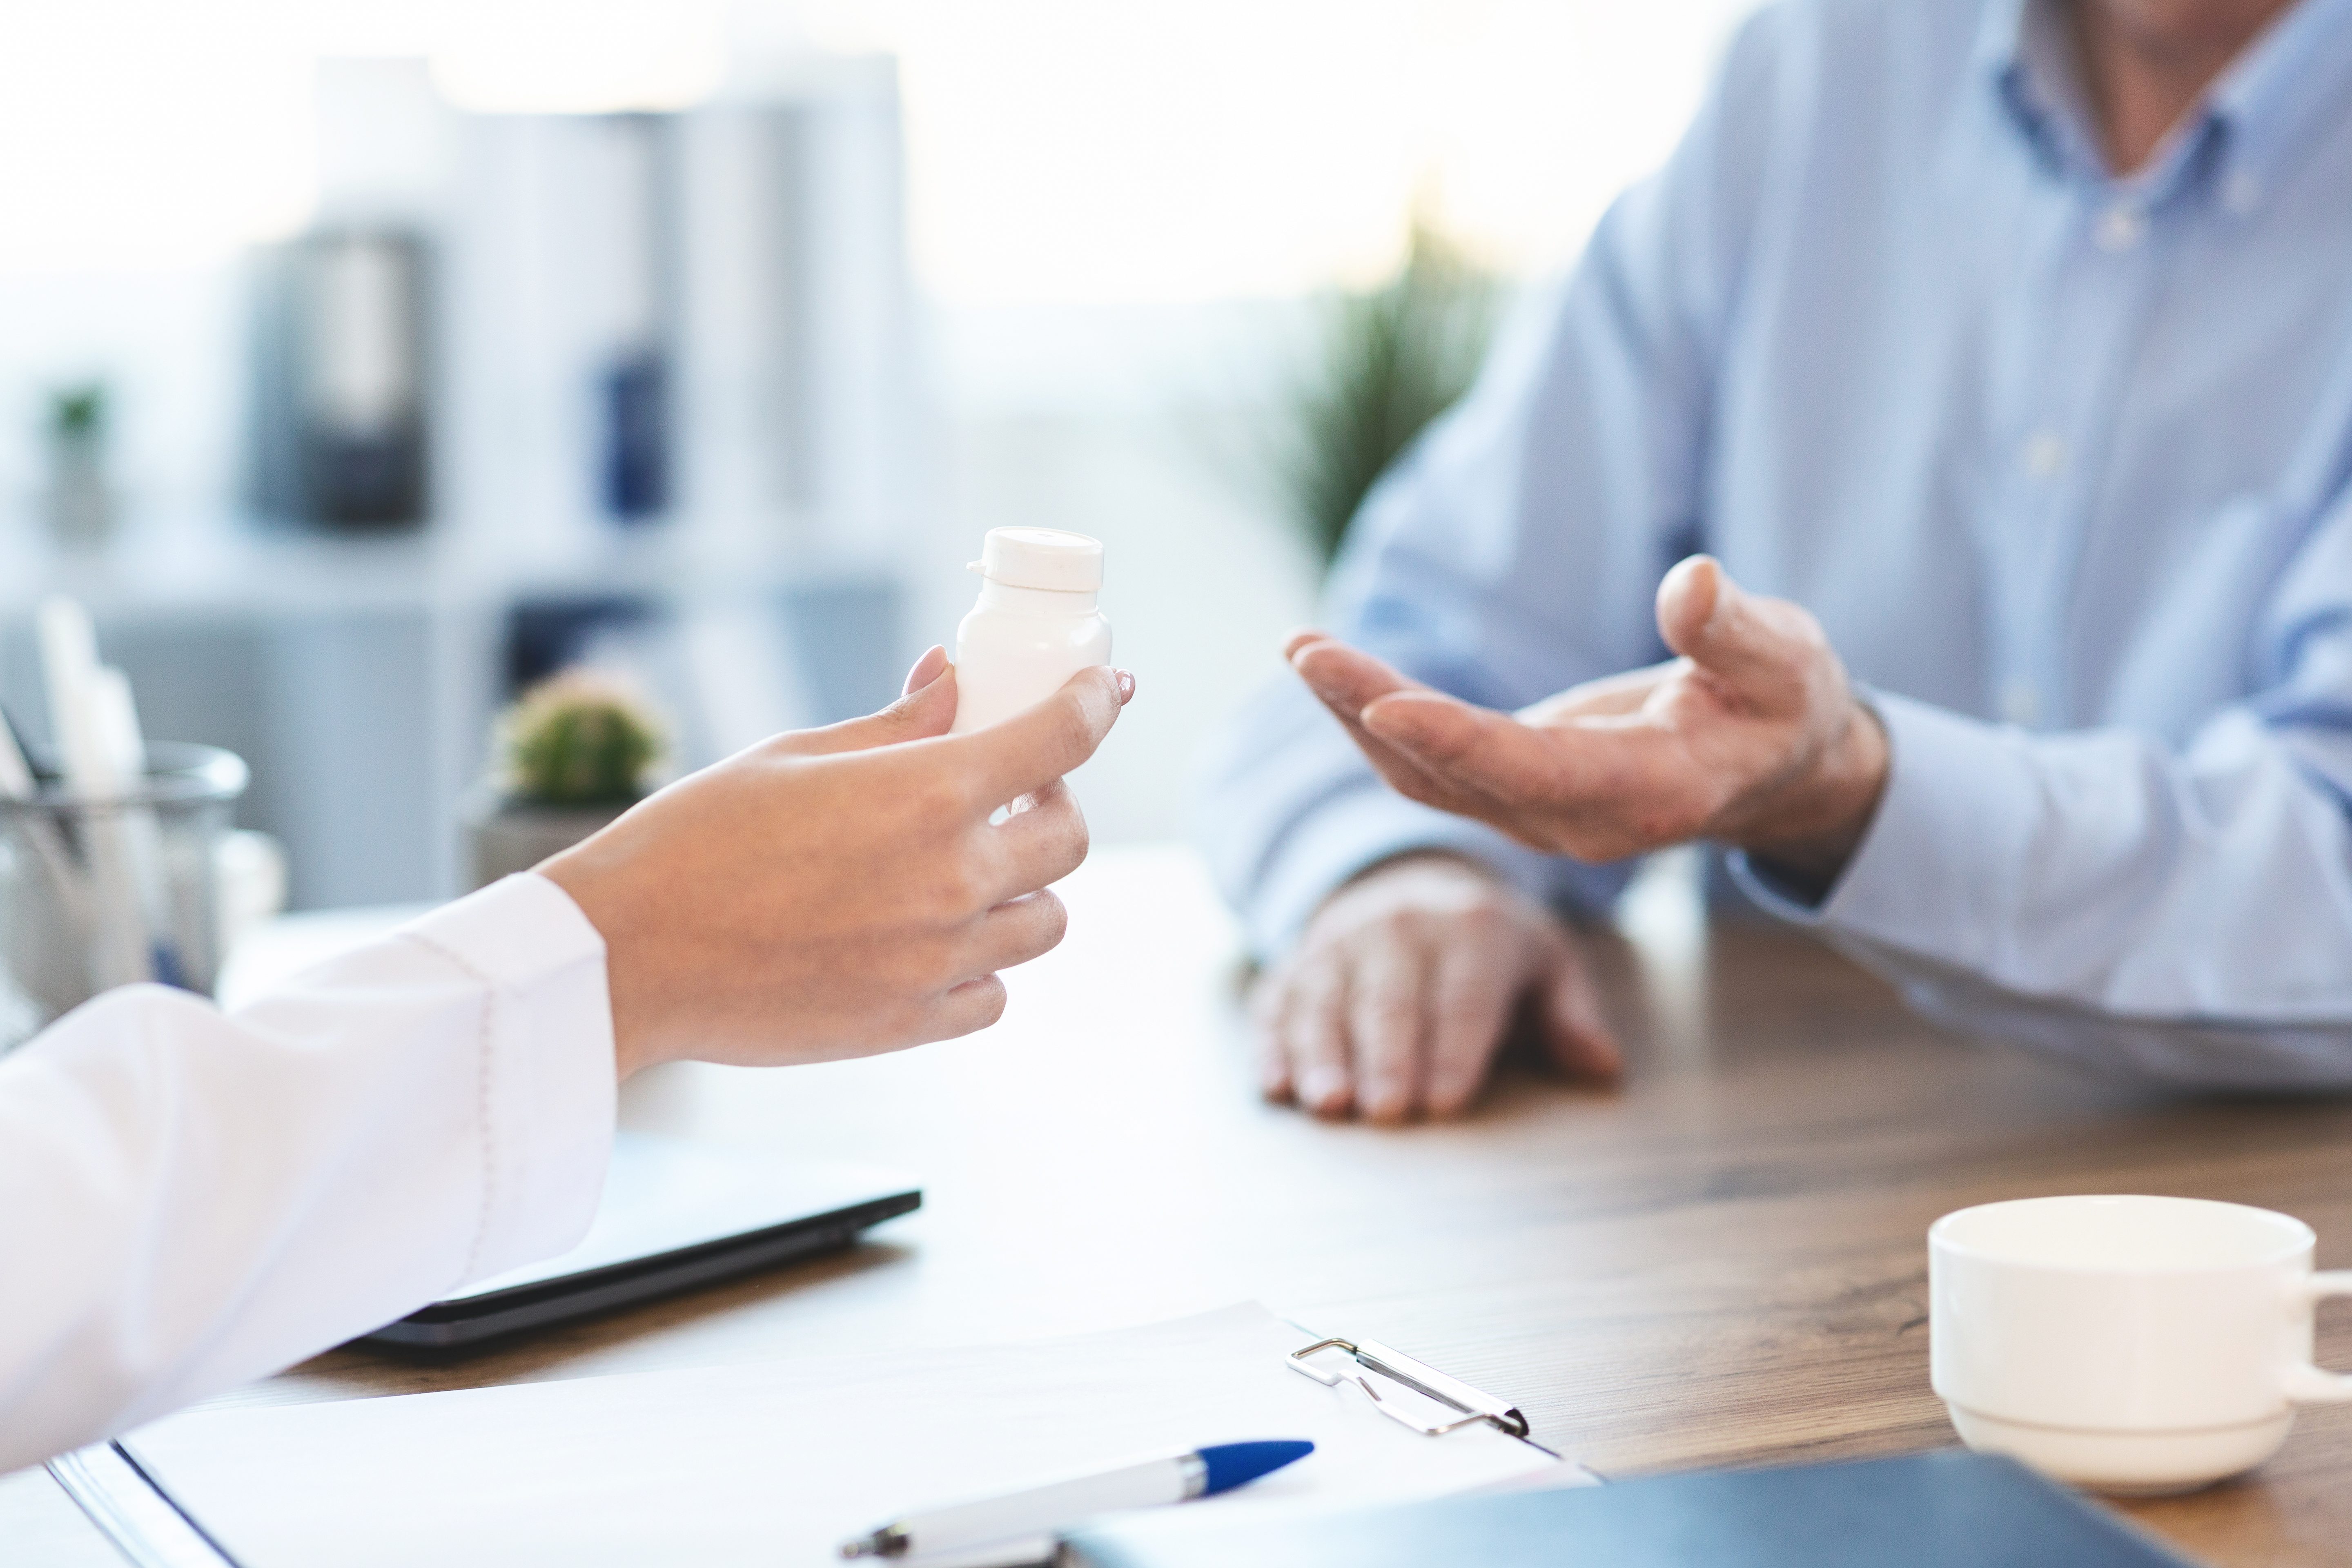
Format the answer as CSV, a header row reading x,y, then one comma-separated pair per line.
x,y
780,1463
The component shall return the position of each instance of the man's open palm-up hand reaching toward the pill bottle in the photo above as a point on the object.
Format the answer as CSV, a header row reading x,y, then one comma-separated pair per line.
x,y
1753,737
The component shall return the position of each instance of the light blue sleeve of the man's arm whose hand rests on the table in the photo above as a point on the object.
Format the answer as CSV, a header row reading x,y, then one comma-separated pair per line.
x,y
1518,547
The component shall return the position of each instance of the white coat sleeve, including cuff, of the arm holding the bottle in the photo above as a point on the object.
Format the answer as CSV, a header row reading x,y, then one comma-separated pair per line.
x,y
192,1200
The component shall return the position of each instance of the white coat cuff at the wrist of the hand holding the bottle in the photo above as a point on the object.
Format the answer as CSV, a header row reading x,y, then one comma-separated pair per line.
x,y
549,1090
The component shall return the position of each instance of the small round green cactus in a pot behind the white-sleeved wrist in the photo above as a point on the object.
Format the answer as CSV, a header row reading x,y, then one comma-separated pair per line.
x,y
573,756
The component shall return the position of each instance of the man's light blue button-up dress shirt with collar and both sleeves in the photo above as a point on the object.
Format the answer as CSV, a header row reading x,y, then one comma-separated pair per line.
x,y
2064,464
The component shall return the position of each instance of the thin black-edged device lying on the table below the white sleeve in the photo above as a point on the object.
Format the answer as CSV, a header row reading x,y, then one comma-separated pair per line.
x,y
674,1217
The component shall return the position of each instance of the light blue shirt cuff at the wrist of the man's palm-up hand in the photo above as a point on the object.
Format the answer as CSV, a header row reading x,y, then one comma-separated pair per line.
x,y
1939,869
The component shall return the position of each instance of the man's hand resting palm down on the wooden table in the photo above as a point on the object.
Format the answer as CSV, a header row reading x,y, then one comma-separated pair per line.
x,y
1408,981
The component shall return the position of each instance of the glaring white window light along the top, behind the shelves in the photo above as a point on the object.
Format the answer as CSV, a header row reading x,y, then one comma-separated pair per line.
x,y
1078,152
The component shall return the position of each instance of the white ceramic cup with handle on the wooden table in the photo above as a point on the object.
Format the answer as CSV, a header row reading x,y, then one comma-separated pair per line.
x,y
2127,1343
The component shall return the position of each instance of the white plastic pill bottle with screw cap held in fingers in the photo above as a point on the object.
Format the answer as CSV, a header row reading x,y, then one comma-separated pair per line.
x,y
1034,629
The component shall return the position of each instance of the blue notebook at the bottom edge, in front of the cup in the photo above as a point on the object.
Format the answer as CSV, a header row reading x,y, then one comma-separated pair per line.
x,y
1930,1510
